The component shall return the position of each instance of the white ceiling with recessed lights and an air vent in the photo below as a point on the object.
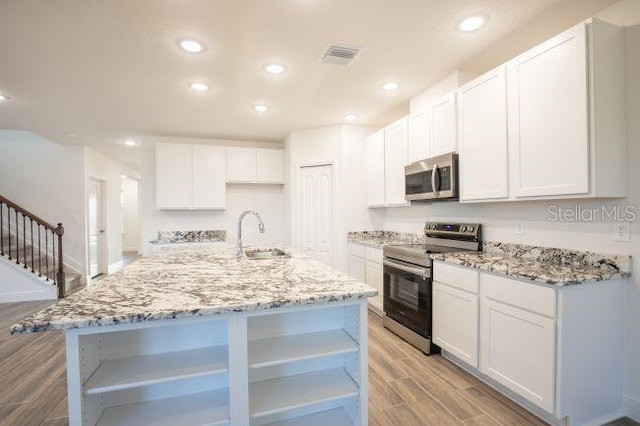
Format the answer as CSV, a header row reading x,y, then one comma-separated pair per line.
x,y
98,71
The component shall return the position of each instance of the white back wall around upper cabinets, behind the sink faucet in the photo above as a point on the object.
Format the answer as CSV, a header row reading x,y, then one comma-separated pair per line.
x,y
268,200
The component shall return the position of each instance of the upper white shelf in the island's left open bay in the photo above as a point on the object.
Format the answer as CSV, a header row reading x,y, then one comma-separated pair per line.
x,y
127,373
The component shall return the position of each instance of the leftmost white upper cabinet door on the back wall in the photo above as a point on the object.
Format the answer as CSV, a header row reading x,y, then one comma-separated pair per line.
x,y
173,176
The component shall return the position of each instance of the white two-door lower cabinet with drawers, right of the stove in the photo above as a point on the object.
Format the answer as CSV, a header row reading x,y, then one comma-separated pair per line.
x,y
556,350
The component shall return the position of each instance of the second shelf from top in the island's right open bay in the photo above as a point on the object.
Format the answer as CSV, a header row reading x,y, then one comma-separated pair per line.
x,y
301,390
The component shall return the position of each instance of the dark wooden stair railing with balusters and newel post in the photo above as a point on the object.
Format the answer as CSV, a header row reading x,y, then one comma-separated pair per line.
x,y
59,278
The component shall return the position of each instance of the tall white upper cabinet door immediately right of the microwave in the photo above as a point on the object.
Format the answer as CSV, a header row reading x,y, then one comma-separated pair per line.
x,y
482,107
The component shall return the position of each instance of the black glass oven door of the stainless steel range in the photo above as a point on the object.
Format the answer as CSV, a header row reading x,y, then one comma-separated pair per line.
x,y
407,290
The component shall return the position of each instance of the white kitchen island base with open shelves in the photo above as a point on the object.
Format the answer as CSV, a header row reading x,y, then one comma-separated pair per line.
x,y
299,365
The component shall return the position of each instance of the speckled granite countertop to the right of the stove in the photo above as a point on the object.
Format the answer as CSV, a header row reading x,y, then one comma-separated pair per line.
x,y
554,266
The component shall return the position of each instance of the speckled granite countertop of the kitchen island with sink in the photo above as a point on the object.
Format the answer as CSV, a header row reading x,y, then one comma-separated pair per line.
x,y
187,281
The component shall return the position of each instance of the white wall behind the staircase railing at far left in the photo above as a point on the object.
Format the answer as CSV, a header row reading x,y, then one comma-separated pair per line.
x,y
46,179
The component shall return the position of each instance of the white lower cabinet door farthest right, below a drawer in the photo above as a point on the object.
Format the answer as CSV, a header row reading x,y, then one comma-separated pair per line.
x,y
517,349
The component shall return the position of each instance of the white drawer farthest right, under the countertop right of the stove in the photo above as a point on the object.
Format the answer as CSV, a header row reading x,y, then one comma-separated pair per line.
x,y
528,296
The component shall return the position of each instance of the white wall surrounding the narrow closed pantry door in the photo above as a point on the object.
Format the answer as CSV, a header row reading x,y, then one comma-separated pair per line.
x,y
344,147
